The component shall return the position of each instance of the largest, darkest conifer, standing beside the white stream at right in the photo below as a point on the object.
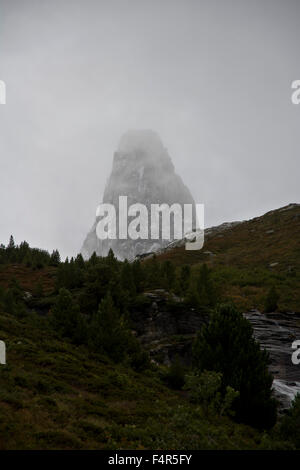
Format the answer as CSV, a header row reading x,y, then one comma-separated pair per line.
x,y
226,345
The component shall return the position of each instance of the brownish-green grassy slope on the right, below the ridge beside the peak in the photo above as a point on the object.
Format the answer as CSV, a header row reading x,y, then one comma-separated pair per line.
x,y
242,256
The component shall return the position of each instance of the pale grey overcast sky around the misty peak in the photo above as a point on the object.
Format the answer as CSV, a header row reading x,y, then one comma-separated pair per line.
x,y
213,78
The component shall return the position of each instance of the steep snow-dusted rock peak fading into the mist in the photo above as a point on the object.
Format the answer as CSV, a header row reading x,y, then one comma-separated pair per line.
x,y
143,171
